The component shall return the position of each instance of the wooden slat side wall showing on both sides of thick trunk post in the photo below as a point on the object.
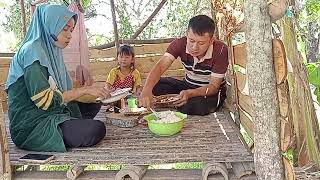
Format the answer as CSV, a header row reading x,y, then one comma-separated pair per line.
x,y
245,102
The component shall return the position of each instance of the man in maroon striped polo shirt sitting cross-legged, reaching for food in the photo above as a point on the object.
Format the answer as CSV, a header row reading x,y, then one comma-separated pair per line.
x,y
205,62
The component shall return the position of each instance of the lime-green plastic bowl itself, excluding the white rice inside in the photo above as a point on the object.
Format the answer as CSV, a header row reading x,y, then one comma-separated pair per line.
x,y
165,129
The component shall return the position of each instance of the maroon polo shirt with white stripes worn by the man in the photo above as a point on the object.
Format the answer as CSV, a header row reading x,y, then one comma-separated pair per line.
x,y
198,71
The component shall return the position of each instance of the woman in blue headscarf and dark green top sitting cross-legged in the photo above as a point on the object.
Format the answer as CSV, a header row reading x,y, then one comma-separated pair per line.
x,y
43,113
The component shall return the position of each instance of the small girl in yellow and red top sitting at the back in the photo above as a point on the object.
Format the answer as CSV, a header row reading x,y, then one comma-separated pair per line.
x,y
125,75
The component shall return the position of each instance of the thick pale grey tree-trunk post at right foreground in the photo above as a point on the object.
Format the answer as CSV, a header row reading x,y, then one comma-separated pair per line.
x,y
262,89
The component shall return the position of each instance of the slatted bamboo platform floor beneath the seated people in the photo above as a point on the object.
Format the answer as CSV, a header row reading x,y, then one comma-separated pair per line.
x,y
212,138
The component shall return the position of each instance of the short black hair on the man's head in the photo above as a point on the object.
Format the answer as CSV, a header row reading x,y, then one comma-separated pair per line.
x,y
202,24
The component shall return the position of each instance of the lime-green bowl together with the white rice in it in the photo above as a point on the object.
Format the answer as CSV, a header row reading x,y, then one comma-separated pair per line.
x,y
167,123
